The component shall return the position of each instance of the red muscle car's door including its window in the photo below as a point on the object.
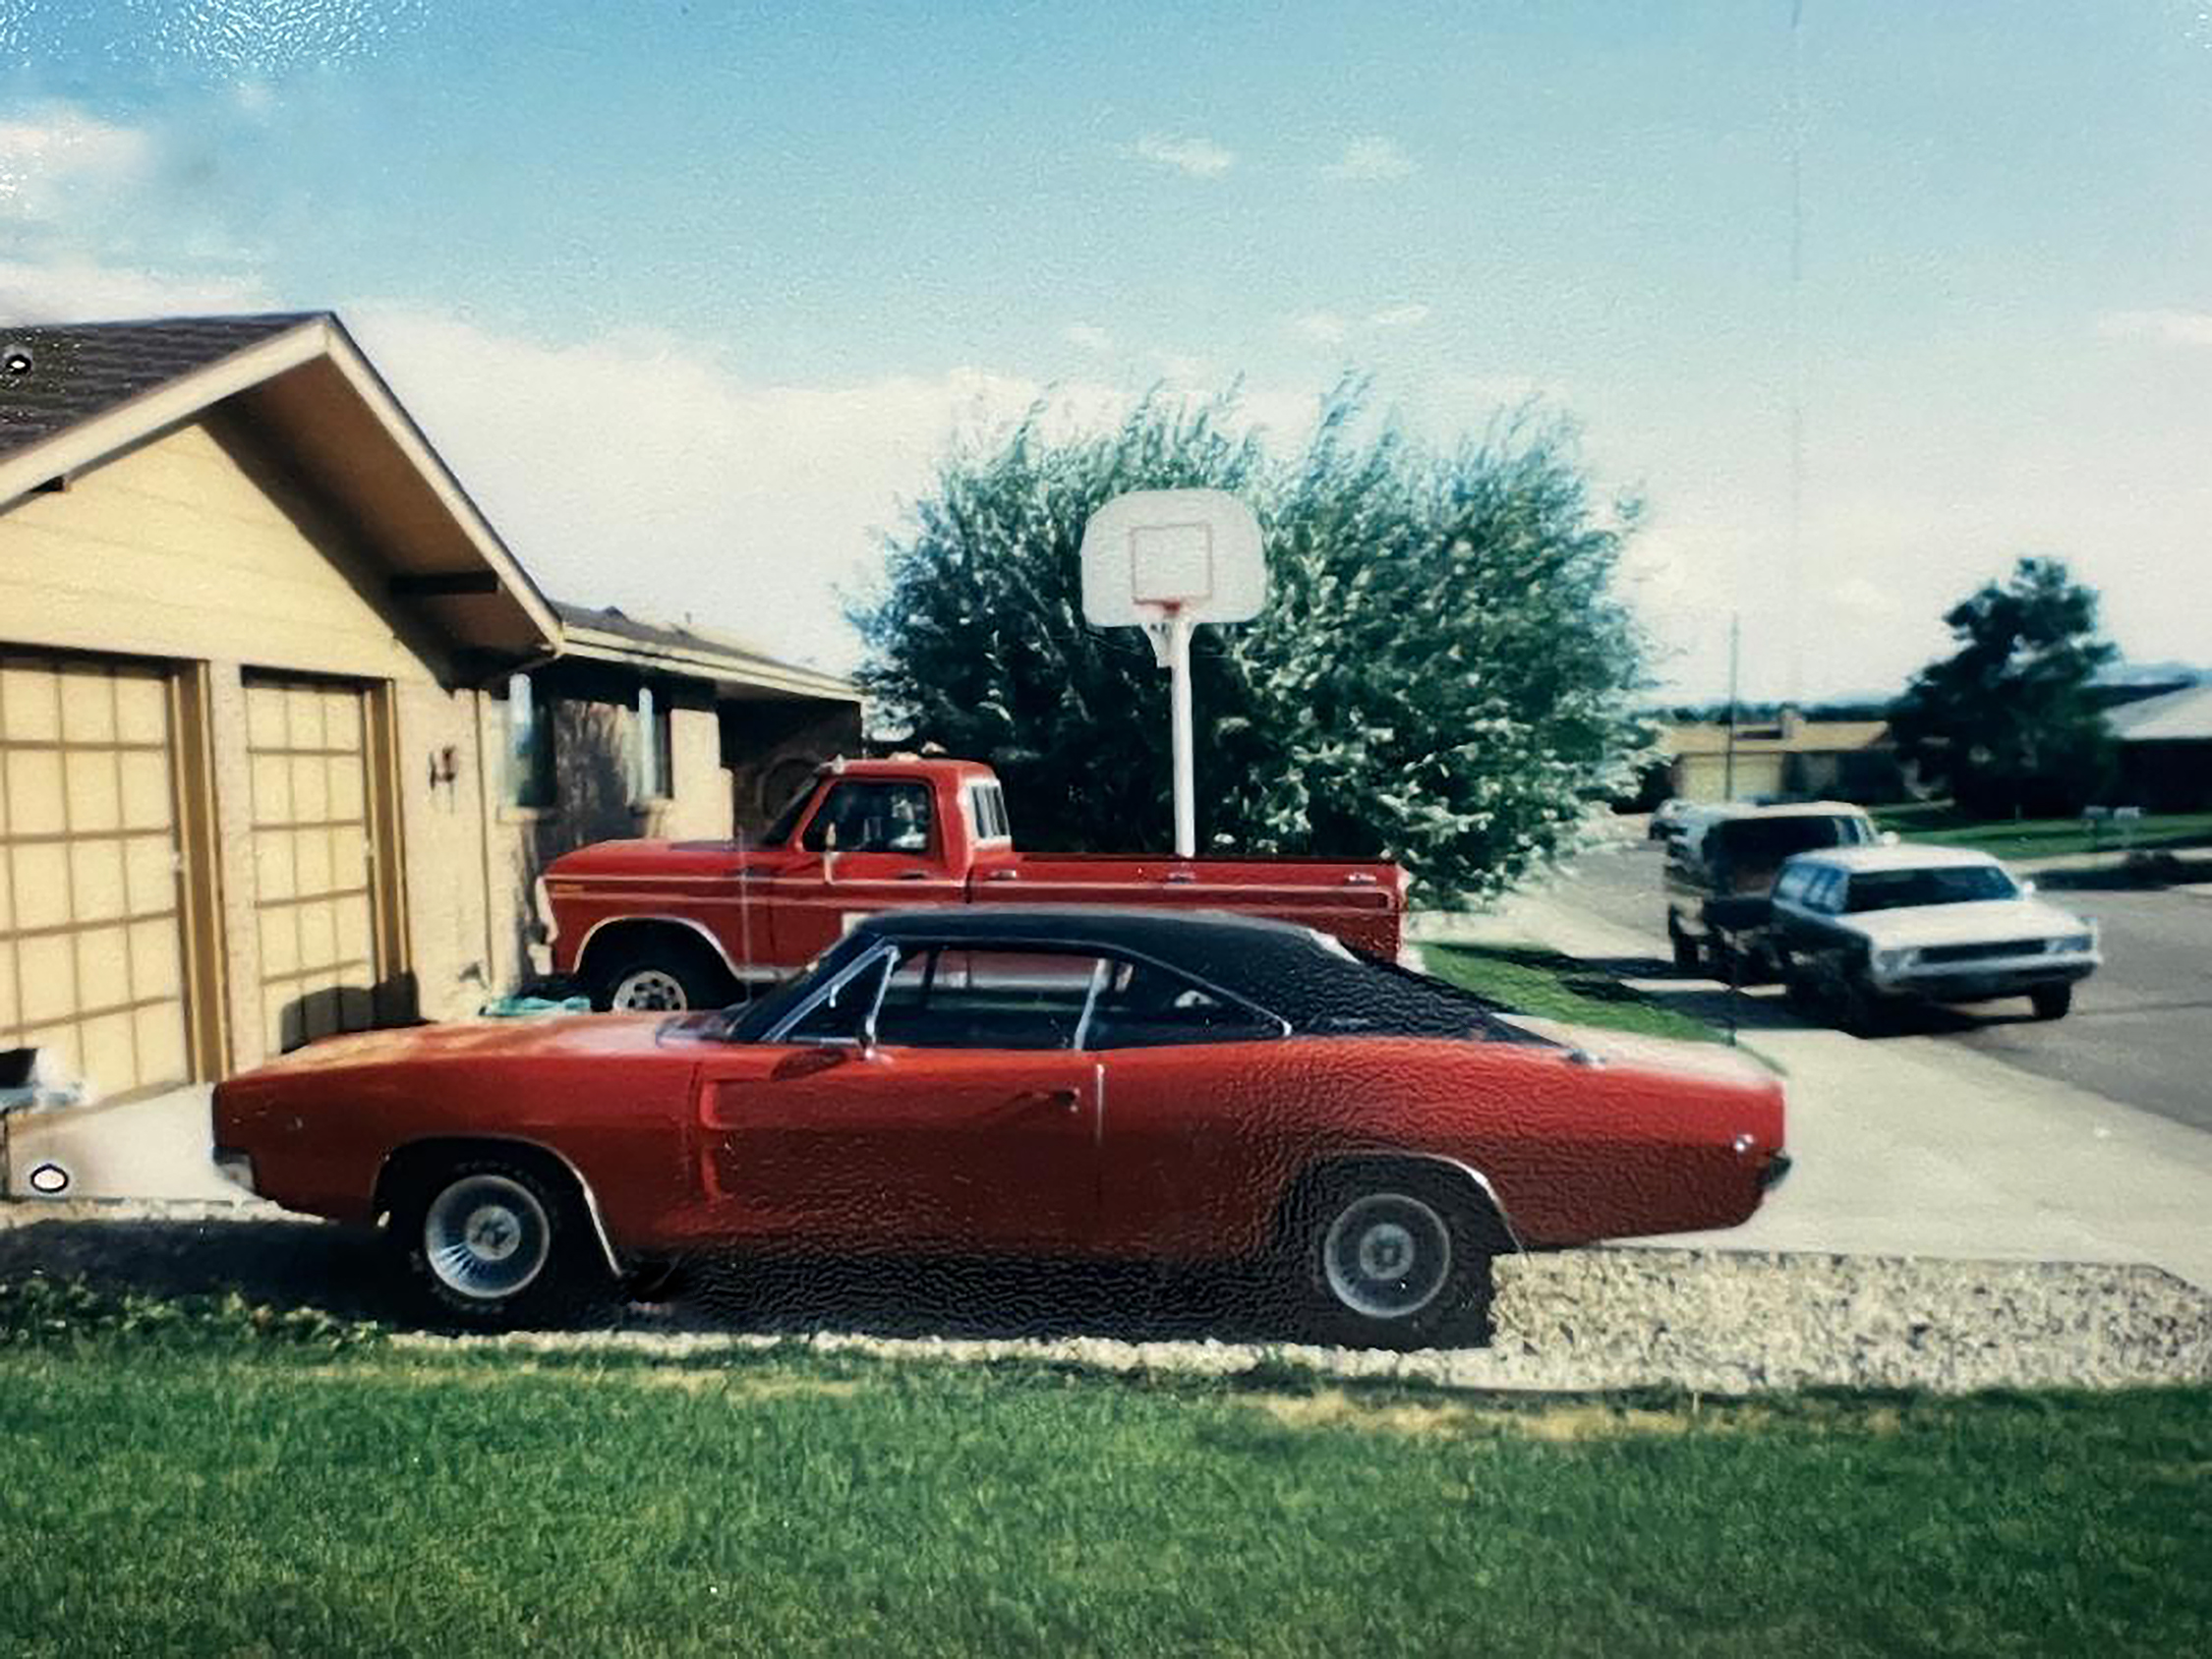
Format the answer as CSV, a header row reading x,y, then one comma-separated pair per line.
x,y
943,1107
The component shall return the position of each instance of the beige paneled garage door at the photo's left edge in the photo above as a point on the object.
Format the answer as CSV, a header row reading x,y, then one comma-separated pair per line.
x,y
92,868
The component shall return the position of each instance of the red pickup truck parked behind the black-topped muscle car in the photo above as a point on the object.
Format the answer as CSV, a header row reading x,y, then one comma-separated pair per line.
x,y
693,924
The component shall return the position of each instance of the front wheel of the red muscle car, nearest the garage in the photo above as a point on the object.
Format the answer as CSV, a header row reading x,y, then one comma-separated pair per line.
x,y
497,1242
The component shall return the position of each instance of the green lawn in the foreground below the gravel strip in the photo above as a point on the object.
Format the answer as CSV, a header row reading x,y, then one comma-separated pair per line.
x,y
253,1494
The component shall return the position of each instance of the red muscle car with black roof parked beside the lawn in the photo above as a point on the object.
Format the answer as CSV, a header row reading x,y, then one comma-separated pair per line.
x,y
1021,1083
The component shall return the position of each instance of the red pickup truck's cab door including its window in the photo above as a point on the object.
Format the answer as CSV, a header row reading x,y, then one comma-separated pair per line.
x,y
873,844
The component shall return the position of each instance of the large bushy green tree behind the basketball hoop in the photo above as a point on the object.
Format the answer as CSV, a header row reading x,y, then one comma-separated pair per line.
x,y
1443,674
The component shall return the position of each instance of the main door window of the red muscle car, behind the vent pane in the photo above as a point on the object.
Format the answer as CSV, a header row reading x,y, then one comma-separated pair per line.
x,y
948,997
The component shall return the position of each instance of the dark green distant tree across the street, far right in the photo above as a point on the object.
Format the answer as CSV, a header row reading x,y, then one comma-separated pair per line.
x,y
2010,724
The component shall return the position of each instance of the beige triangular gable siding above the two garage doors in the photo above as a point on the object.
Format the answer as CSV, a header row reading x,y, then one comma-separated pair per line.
x,y
189,547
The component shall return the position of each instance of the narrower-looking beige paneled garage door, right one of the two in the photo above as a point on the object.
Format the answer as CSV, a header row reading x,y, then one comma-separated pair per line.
x,y
315,857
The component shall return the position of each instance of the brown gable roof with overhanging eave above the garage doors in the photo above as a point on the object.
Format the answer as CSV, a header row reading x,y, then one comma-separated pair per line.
x,y
92,390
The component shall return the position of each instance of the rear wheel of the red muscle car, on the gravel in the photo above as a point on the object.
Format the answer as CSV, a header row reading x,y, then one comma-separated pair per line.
x,y
1395,1258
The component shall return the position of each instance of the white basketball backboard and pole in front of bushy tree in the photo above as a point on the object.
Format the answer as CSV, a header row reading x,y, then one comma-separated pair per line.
x,y
1169,561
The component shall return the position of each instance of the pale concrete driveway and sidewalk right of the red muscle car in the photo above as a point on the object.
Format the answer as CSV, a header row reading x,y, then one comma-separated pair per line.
x,y
1919,1147
